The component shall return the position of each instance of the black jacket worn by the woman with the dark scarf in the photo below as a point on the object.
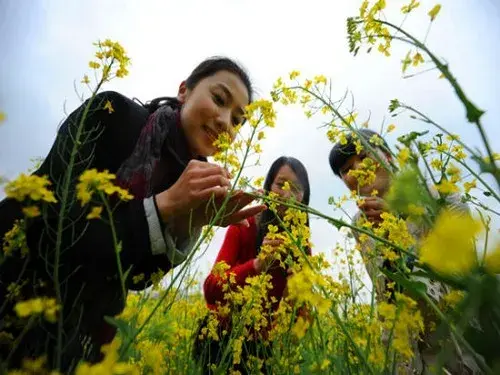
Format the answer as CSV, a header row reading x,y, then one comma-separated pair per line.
x,y
88,269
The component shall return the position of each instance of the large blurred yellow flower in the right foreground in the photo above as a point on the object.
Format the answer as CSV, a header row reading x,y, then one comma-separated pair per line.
x,y
449,247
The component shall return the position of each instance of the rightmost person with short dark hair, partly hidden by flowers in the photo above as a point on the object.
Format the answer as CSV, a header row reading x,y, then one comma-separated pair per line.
x,y
343,159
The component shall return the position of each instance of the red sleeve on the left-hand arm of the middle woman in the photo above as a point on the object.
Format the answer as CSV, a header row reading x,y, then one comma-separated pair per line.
x,y
213,286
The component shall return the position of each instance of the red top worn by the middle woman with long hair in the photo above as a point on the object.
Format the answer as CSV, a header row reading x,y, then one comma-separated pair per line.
x,y
239,252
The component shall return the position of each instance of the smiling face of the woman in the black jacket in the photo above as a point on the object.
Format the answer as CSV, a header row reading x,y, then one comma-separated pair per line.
x,y
214,106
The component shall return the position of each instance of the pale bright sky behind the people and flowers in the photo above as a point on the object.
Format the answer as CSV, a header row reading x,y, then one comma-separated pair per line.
x,y
46,46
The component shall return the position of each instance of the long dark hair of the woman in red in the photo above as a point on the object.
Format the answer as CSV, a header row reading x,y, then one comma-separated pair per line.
x,y
268,216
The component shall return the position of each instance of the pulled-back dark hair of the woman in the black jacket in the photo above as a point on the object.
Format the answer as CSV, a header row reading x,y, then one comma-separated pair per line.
x,y
206,69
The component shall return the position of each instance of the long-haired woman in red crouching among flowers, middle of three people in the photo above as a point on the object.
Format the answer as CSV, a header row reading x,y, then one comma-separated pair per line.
x,y
287,178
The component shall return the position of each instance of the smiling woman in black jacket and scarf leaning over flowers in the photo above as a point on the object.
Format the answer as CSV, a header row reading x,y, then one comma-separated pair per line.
x,y
158,152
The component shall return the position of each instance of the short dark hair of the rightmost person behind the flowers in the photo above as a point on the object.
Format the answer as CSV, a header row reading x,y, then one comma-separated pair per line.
x,y
341,152
